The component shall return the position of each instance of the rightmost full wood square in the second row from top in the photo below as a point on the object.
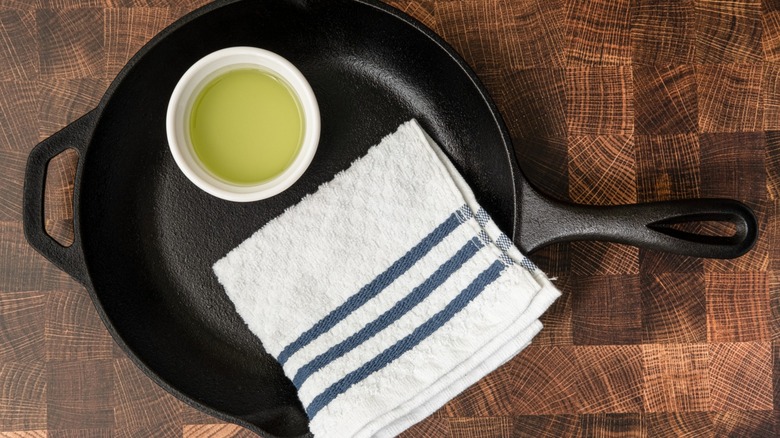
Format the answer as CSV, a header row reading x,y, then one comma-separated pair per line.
x,y
729,97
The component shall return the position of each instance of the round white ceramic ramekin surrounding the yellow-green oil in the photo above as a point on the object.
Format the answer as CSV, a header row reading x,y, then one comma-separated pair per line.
x,y
180,106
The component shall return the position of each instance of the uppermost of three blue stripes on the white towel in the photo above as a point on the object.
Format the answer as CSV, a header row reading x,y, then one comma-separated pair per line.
x,y
373,288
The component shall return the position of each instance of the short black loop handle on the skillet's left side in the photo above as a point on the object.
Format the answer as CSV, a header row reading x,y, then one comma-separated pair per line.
x,y
76,135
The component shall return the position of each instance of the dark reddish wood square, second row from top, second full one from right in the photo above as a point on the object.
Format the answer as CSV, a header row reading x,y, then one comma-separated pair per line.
x,y
665,99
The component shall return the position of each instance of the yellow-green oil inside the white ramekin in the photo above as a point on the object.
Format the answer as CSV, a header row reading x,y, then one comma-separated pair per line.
x,y
246,126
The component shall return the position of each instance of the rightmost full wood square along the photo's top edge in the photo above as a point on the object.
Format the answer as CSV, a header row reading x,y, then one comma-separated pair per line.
x,y
728,31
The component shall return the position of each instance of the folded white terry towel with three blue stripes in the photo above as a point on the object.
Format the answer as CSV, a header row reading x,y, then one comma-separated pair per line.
x,y
387,292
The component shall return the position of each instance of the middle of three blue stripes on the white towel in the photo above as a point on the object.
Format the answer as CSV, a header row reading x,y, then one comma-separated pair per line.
x,y
400,309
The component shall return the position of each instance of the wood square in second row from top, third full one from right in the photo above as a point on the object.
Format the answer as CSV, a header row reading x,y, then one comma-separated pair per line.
x,y
600,100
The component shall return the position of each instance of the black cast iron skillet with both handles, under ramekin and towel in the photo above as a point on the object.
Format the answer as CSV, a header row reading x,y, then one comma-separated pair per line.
x,y
146,238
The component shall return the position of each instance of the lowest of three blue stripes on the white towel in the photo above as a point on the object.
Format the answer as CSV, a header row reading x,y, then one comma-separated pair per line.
x,y
412,340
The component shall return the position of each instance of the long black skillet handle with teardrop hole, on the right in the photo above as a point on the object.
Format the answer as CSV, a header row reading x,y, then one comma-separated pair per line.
x,y
545,221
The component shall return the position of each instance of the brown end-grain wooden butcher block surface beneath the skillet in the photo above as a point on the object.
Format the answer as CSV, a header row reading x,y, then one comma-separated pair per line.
x,y
608,101
